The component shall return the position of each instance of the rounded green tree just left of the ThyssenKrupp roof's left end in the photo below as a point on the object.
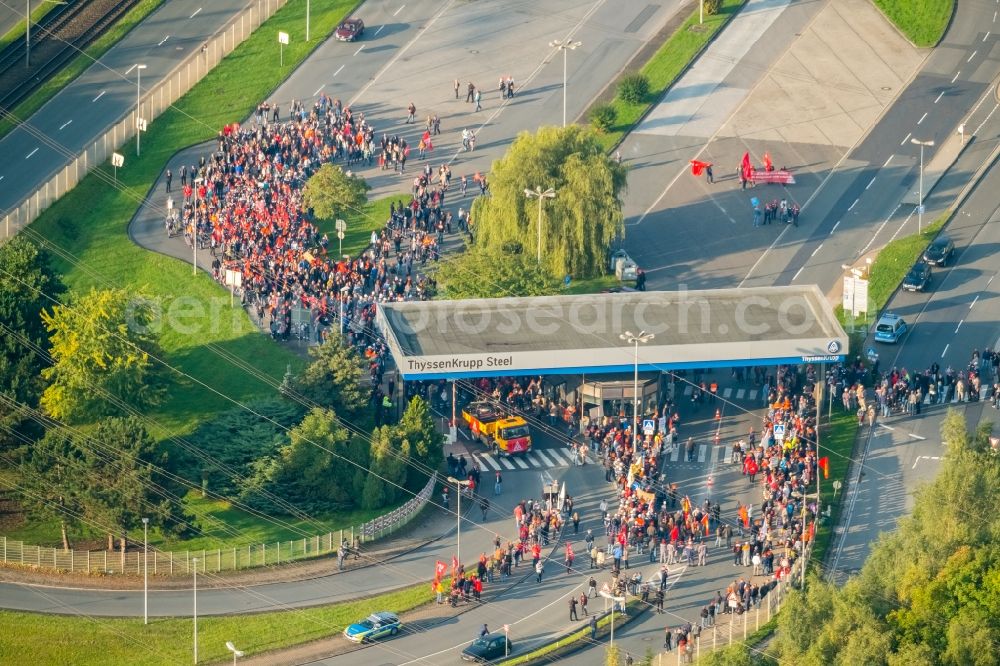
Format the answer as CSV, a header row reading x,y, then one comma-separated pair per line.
x,y
334,378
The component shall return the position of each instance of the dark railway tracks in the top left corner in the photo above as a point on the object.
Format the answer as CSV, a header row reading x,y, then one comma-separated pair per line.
x,y
59,37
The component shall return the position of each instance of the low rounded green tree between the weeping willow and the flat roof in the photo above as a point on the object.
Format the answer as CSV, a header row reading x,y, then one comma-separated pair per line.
x,y
509,274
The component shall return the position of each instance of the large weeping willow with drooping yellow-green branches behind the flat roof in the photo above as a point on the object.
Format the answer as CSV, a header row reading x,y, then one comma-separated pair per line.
x,y
578,224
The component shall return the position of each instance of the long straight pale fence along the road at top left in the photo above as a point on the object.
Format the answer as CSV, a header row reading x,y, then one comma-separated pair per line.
x,y
151,105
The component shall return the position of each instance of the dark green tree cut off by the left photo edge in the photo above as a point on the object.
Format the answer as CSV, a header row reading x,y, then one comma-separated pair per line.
x,y
26,284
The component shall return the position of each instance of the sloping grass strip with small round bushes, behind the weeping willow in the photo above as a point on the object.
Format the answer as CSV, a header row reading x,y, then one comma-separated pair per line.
x,y
667,65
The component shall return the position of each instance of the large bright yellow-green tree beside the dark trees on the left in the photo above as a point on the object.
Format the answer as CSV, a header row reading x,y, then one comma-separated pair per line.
x,y
101,344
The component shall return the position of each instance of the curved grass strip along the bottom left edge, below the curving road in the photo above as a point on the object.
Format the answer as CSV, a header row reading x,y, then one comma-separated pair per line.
x,y
37,638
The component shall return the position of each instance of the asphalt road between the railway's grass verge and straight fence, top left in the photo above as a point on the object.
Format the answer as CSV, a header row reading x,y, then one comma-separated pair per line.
x,y
78,114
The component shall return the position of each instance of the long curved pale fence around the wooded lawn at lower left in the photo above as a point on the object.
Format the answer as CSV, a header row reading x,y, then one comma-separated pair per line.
x,y
167,563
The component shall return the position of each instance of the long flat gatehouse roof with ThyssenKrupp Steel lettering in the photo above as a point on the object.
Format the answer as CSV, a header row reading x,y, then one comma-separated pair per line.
x,y
560,334
